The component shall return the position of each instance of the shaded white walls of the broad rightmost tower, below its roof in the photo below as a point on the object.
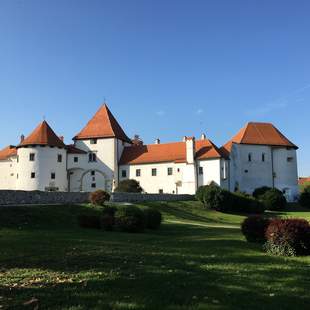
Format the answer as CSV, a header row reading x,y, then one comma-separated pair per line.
x,y
253,166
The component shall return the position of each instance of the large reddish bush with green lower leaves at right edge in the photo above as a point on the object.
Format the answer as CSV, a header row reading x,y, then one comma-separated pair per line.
x,y
288,237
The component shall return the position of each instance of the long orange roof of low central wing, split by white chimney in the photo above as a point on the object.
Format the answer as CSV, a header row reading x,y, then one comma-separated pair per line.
x,y
167,152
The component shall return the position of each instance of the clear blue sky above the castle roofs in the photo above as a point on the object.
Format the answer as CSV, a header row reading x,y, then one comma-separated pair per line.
x,y
167,68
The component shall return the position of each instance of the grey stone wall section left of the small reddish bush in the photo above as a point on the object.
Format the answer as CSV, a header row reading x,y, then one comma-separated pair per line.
x,y
11,197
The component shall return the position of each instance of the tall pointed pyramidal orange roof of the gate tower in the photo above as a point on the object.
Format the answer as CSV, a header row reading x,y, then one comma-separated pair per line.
x,y
102,125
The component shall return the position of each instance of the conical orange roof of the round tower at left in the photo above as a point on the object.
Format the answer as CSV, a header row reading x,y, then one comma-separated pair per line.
x,y
43,135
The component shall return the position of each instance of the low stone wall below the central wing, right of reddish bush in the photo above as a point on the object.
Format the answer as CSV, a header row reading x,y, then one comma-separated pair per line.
x,y
136,197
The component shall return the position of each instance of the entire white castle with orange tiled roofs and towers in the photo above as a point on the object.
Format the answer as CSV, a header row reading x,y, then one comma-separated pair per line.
x,y
102,155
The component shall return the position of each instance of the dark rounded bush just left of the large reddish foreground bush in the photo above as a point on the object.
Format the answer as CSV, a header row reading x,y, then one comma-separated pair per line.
x,y
254,228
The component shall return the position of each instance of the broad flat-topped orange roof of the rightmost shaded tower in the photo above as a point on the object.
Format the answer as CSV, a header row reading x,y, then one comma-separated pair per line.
x,y
258,134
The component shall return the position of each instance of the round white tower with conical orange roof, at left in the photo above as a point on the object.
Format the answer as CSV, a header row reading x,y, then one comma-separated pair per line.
x,y
41,162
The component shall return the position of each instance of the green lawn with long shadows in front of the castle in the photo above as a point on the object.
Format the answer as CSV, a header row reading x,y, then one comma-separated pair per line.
x,y
197,260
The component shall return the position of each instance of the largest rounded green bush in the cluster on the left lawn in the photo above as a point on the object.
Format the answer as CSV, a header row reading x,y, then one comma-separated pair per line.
x,y
130,219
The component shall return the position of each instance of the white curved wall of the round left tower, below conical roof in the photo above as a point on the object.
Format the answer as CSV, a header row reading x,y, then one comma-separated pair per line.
x,y
44,164
